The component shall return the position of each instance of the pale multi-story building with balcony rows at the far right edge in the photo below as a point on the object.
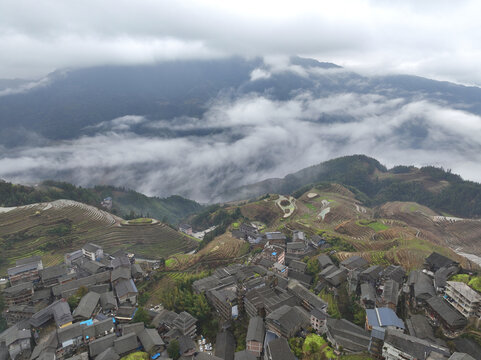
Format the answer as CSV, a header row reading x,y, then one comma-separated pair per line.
x,y
464,299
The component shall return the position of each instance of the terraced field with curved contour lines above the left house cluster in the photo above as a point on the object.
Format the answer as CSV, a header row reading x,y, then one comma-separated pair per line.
x,y
52,229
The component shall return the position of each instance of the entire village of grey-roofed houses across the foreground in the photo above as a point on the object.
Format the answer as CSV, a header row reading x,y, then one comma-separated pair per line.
x,y
86,307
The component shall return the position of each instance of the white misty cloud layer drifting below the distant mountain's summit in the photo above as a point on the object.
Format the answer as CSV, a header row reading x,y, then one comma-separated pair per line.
x,y
244,140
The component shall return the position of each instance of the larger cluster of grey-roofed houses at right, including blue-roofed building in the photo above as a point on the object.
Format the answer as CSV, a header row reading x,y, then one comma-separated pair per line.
x,y
282,301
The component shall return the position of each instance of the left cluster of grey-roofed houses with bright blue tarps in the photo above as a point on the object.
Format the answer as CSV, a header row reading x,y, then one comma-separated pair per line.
x,y
42,325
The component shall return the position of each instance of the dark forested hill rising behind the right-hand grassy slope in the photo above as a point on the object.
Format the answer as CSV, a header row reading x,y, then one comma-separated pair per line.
x,y
374,184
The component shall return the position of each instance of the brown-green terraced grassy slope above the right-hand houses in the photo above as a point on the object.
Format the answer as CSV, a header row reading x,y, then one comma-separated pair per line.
x,y
380,238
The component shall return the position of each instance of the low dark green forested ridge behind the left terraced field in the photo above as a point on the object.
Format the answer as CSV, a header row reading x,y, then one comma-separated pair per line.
x,y
126,203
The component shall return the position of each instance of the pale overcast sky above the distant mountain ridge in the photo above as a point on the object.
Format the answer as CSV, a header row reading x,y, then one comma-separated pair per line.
x,y
437,39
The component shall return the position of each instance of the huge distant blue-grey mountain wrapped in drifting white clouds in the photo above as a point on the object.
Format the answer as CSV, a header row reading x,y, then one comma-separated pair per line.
x,y
203,128
